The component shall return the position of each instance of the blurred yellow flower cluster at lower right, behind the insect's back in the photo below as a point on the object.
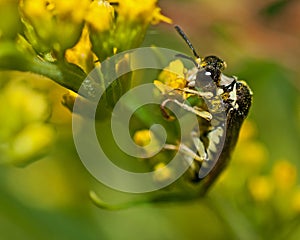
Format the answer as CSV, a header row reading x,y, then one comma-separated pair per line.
x,y
252,181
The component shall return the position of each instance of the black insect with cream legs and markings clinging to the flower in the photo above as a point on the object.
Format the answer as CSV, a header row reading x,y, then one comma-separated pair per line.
x,y
227,103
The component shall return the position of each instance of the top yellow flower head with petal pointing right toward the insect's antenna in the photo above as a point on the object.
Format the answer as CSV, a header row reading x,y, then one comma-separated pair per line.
x,y
122,26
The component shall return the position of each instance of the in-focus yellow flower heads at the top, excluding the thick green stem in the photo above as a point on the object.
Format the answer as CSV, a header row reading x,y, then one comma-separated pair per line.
x,y
55,26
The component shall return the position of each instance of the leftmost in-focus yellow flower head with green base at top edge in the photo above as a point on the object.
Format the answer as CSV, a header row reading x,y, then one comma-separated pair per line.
x,y
53,25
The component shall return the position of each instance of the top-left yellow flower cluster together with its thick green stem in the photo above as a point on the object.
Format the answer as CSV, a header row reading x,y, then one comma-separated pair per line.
x,y
63,40
